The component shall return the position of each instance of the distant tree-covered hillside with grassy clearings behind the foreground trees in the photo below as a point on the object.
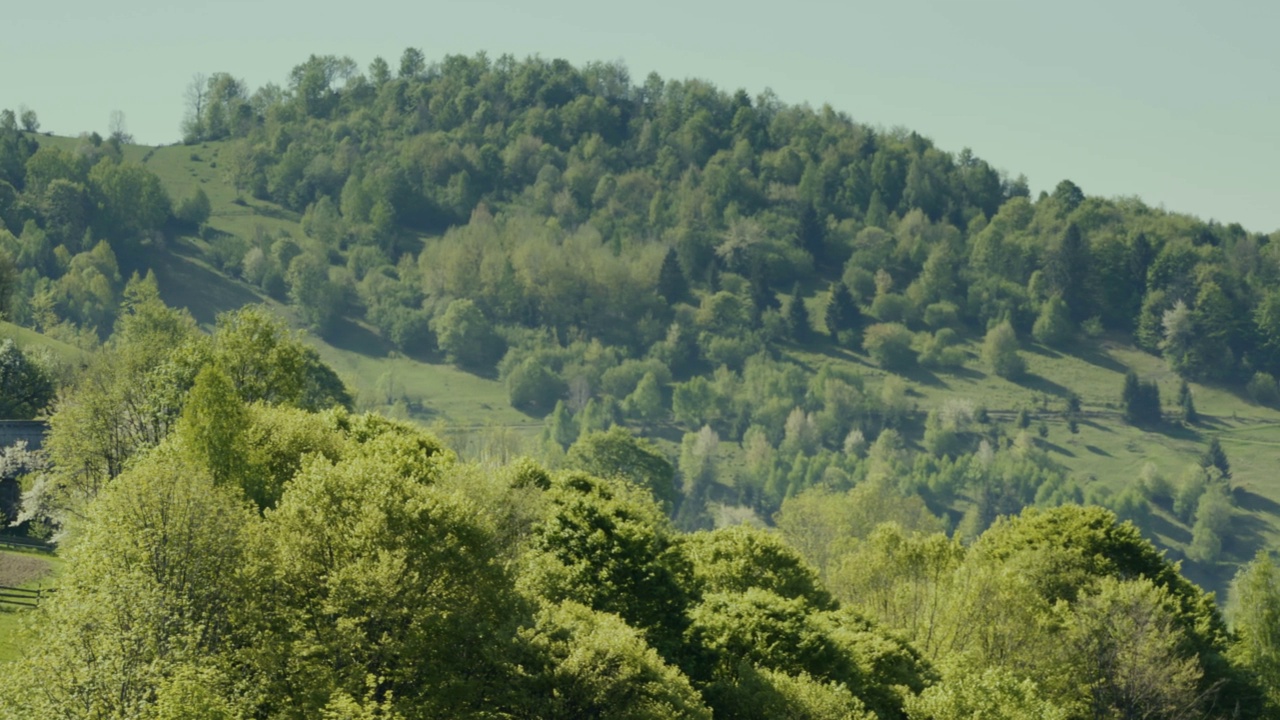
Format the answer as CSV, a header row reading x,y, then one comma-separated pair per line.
x,y
516,253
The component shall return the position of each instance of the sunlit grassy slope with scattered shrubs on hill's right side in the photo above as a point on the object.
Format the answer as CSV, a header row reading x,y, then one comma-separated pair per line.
x,y
1108,453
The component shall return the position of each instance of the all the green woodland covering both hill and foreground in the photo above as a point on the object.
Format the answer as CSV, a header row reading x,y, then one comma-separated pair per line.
x,y
728,320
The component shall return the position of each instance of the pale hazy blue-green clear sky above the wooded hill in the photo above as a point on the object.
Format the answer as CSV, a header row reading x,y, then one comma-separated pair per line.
x,y
1173,102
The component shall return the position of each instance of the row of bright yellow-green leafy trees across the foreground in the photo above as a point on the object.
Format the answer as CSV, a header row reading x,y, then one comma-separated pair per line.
x,y
264,559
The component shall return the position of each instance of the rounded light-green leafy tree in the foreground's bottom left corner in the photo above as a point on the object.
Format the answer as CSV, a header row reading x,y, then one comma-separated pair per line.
x,y
154,585
